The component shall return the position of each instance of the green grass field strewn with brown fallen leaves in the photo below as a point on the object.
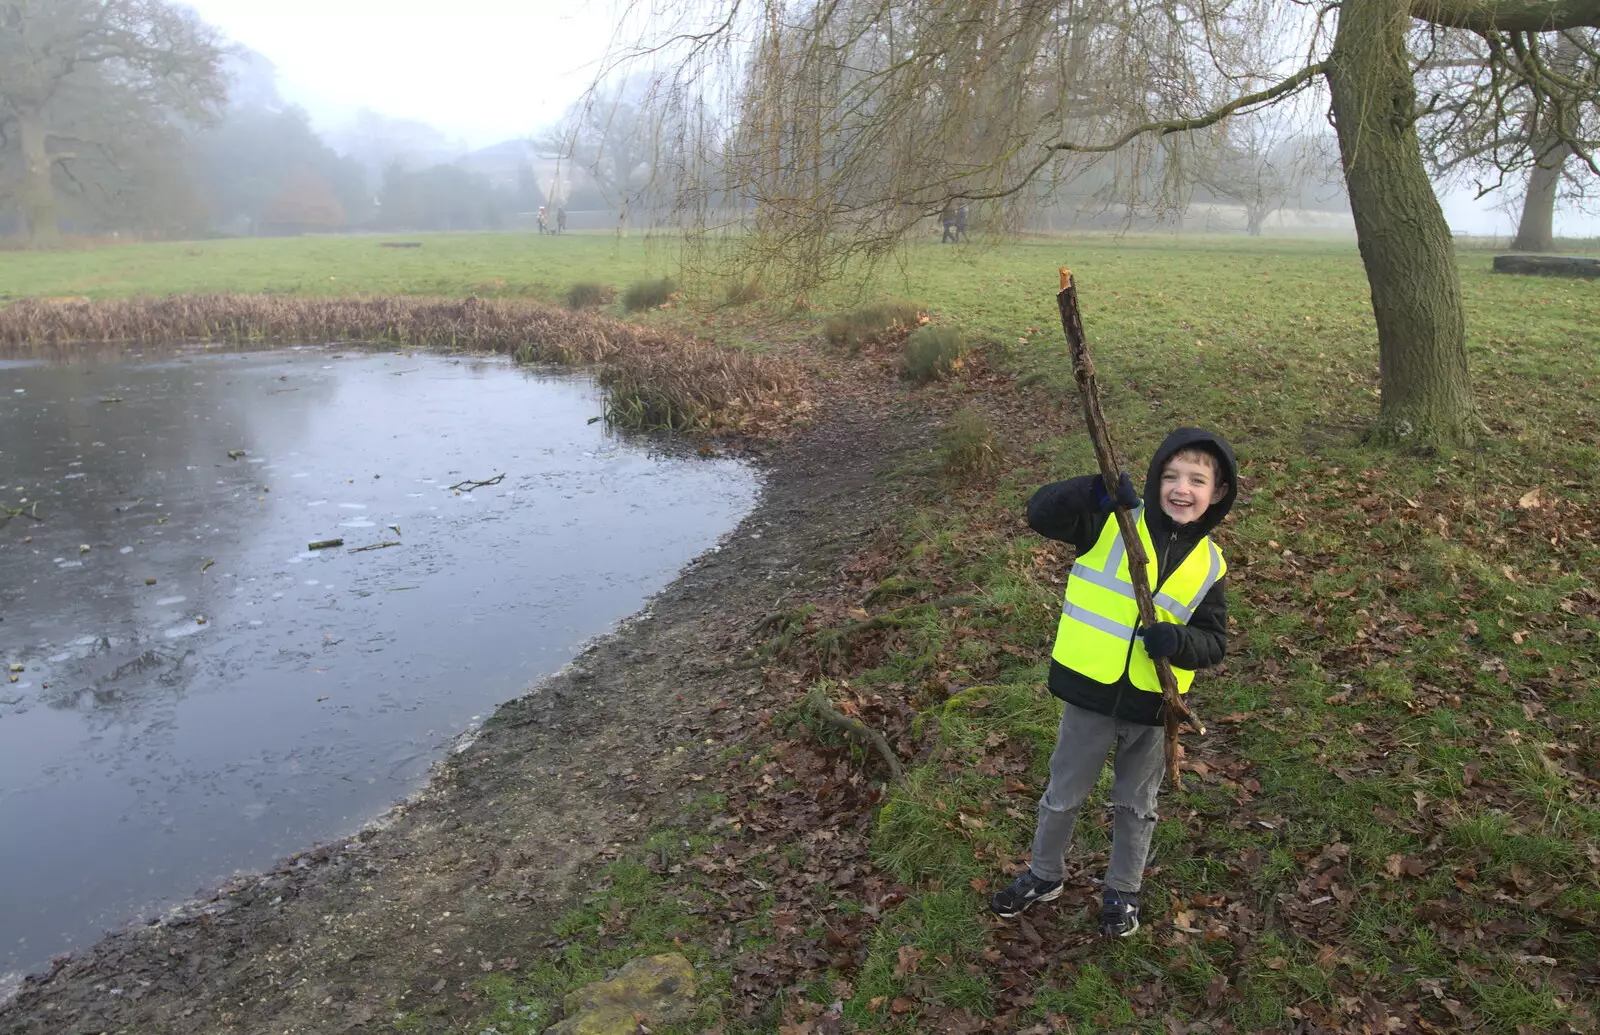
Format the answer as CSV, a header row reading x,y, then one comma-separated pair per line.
x,y
1394,825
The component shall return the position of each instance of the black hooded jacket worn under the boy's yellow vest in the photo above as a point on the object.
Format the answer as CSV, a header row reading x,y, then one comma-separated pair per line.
x,y
1071,513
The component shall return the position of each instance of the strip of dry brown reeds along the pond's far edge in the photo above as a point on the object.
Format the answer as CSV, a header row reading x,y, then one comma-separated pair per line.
x,y
657,378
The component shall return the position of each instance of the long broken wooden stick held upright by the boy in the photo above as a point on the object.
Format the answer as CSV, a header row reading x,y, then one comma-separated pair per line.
x,y
1174,711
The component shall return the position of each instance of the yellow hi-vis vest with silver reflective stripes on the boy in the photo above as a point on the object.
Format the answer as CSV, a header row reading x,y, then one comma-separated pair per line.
x,y
1100,620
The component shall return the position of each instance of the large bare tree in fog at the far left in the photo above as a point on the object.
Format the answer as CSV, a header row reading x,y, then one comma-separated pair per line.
x,y
89,76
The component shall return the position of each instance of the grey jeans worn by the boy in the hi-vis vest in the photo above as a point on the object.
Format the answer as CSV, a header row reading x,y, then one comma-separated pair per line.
x,y
1074,769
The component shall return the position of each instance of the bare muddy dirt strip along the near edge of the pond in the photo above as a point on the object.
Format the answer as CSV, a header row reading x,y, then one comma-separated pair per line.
x,y
466,877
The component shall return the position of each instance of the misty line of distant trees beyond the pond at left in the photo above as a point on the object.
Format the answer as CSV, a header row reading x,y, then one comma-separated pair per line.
x,y
137,118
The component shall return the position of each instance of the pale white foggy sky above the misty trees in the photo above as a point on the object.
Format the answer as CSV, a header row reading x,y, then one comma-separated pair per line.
x,y
487,71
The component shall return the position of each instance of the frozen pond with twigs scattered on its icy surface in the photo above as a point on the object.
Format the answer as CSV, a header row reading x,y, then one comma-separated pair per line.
x,y
199,692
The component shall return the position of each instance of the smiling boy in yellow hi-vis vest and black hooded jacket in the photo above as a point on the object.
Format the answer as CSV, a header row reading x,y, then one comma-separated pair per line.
x,y
1102,665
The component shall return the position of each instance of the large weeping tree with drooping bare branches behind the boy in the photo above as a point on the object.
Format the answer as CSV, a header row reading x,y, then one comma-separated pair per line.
x,y
854,121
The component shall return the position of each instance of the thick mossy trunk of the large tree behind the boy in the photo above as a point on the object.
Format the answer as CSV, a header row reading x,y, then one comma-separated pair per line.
x,y
1402,233
